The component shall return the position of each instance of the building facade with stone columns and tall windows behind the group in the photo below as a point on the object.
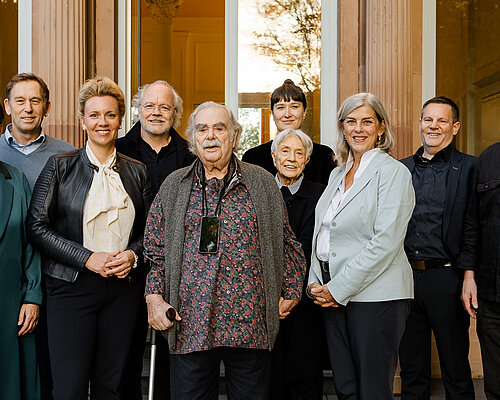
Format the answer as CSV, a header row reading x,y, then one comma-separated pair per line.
x,y
404,51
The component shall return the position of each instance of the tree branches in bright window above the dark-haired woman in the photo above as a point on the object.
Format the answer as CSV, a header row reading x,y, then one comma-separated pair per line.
x,y
292,37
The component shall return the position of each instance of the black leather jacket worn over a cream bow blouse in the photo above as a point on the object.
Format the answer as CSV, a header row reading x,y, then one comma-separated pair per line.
x,y
55,217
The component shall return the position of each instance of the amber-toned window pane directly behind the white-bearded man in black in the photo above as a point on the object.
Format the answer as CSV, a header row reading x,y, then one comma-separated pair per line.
x,y
181,42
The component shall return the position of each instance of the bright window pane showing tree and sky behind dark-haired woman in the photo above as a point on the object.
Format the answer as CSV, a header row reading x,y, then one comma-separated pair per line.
x,y
278,40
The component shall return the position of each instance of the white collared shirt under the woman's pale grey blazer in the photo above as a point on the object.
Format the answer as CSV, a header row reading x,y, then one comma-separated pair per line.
x,y
323,238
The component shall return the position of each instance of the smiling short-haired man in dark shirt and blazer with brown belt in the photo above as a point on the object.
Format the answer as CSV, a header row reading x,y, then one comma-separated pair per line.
x,y
442,179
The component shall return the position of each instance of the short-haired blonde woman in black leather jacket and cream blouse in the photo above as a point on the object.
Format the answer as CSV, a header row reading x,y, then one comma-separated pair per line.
x,y
87,218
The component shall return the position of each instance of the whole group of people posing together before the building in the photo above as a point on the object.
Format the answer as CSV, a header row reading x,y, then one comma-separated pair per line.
x,y
270,263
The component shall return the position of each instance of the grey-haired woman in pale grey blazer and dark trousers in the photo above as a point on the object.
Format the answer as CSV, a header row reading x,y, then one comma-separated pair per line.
x,y
359,271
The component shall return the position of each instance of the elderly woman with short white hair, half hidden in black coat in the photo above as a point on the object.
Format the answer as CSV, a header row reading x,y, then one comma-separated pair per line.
x,y
297,370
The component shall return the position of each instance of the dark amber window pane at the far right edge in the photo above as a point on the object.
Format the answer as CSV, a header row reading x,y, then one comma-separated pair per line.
x,y
468,68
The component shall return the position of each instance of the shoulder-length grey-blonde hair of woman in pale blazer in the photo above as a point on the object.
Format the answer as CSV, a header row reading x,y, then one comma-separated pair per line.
x,y
386,142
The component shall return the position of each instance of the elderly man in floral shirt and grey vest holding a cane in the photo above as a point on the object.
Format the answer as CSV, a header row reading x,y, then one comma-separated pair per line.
x,y
228,263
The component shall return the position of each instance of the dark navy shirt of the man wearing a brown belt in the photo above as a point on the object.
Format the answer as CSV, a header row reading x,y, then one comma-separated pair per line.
x,y
424,238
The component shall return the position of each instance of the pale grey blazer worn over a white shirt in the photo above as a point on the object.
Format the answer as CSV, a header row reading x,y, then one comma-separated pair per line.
x,y
367,232
